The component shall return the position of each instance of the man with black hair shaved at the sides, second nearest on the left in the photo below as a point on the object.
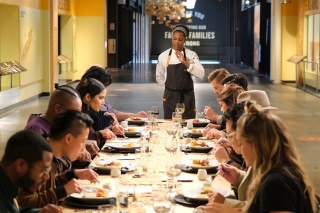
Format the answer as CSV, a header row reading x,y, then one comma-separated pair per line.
x,y
67,135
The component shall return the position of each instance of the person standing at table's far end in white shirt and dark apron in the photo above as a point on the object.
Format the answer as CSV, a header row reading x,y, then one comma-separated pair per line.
x,y
174,70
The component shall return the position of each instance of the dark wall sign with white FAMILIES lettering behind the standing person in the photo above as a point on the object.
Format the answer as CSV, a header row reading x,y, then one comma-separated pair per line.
x,y
208,30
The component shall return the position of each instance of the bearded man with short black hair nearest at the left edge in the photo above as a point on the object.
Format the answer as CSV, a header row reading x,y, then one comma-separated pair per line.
x,y
26,163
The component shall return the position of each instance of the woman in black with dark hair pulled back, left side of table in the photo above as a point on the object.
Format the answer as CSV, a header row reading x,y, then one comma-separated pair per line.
x,y
93,93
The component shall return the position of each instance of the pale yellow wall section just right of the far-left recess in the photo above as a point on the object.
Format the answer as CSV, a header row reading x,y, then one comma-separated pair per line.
x,y
34,41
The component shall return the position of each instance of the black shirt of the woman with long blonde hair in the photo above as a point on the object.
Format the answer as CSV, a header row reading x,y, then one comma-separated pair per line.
x,y
281,192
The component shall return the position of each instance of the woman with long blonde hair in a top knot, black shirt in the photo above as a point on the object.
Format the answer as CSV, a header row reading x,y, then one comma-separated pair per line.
x,y
280,184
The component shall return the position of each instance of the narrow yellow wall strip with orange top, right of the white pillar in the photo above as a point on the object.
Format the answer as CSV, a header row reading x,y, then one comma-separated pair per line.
x,y
289,40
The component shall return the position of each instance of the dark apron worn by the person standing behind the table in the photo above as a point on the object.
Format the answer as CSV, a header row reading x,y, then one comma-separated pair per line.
x,y
178,89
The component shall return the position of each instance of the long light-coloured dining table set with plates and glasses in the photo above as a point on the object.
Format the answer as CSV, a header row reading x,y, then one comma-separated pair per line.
x,y
143,171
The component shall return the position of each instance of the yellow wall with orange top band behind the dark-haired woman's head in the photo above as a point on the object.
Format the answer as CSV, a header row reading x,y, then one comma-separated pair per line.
x,y
89,35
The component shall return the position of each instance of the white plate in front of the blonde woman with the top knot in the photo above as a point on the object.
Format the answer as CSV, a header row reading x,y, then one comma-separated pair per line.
x,y
195,192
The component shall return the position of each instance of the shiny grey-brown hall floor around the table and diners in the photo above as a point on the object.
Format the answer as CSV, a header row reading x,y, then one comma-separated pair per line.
x,y
134,90
